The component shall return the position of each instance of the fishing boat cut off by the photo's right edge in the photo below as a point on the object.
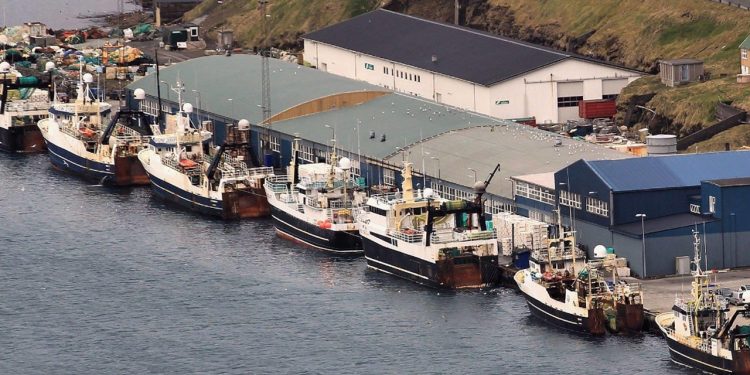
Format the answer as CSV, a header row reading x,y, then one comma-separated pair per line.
x,y
702,332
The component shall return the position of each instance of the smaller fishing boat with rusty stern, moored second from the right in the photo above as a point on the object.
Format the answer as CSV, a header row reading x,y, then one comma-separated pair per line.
x,y
580,299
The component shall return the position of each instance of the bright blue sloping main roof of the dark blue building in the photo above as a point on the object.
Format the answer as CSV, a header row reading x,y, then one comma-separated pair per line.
x,y
671,171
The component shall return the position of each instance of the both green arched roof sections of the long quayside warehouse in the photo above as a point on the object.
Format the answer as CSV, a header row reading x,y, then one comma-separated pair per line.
x,y
404,119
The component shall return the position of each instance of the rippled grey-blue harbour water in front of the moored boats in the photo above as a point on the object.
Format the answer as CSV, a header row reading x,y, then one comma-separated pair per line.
x,y
106,281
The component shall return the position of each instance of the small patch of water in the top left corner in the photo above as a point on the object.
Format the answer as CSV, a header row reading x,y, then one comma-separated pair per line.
x,y
58,14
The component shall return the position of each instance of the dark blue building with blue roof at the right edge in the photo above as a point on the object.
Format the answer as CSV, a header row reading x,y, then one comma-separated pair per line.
x,y
647,208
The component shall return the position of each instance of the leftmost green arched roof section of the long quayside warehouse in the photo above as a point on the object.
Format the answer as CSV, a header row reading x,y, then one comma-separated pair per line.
x,y
238,77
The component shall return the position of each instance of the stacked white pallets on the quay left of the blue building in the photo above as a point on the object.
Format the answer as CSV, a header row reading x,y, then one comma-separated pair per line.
x,y
516,234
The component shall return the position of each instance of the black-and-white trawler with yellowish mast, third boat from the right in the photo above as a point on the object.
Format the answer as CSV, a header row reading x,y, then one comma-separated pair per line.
x,y
433,241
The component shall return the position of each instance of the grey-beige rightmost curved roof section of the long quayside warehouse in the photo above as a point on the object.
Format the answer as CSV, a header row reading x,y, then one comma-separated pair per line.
x,y
520,150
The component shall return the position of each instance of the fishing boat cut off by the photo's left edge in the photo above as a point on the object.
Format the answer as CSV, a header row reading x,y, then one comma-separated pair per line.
x,y
25,101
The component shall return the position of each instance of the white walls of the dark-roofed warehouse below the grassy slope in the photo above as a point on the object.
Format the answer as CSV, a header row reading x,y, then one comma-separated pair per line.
x,y
531,95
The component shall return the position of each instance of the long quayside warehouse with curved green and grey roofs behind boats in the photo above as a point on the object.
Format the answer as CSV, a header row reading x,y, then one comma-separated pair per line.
x,y
376,128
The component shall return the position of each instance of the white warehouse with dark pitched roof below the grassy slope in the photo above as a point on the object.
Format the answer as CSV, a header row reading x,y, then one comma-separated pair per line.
x,y
462,67
